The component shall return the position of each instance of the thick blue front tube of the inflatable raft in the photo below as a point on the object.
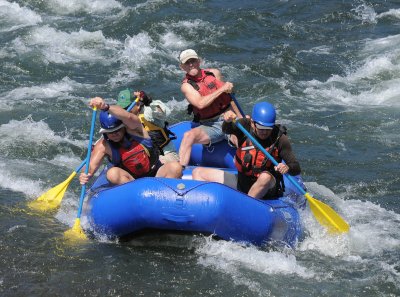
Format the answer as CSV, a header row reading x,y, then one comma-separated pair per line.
x,y
193,206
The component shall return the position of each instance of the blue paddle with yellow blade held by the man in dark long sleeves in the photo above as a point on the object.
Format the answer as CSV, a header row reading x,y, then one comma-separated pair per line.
x,y
324,214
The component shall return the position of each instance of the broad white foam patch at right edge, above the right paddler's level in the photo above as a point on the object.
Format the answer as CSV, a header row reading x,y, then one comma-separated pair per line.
x,y
375,81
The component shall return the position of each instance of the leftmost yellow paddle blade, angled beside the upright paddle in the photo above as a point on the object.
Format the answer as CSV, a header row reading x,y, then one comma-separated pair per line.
x,y
52,198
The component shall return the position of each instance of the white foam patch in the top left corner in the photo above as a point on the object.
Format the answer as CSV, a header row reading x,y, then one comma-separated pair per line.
x,y
14,17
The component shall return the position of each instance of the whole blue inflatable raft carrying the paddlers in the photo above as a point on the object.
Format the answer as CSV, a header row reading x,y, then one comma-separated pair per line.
x,y
185,205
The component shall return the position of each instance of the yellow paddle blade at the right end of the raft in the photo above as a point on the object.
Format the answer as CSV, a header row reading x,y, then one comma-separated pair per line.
x,y
327,216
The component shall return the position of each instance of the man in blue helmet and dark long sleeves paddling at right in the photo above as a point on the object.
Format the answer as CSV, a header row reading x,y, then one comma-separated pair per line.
x,y
257,176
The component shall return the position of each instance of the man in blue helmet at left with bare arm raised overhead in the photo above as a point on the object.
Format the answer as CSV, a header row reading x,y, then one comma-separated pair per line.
x,y
128,147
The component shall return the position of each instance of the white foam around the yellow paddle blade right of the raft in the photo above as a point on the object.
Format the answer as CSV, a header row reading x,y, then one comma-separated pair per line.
x,y
373,229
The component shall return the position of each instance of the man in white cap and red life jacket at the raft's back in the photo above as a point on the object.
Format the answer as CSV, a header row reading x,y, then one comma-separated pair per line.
x,y
208,98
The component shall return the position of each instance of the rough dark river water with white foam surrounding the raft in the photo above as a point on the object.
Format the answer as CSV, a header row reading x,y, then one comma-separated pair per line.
x,y
330,67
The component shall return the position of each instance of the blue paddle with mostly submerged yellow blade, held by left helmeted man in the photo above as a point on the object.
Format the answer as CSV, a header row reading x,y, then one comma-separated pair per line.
x,y
76,231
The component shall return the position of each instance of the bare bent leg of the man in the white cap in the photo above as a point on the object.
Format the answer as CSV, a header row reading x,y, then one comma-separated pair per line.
x,y
196,135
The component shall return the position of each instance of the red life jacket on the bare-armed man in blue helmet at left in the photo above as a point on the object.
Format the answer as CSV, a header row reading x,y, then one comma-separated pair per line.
x,y
136,155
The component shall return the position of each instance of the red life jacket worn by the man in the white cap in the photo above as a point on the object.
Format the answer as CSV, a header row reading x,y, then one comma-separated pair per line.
x,y
205,85
